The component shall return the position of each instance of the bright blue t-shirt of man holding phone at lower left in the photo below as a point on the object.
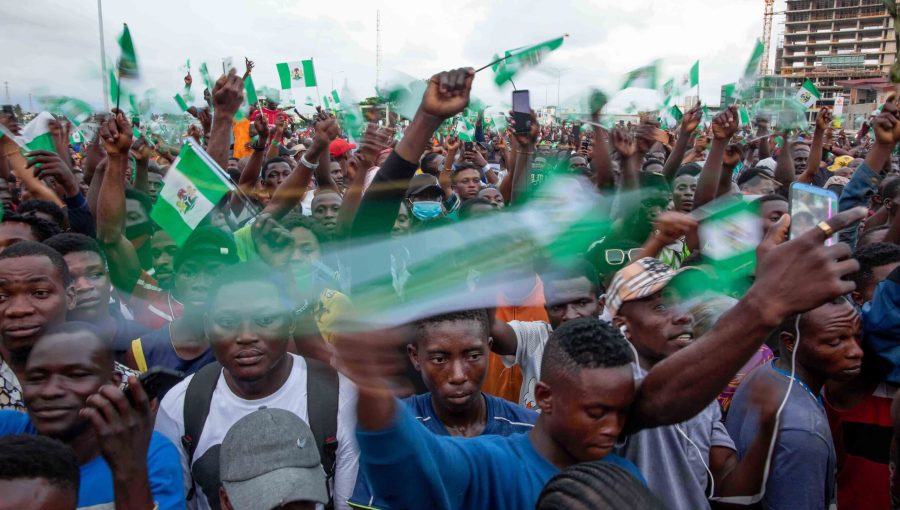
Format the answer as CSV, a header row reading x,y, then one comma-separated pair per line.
x,y
96,485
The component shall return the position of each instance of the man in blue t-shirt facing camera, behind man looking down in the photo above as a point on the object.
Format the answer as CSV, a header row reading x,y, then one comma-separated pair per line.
x,y
450,352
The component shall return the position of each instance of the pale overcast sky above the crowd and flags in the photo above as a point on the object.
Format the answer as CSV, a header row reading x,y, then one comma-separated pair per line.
x,y
52,47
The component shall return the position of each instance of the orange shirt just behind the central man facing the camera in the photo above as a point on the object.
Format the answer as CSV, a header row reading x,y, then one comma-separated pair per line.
x,y
507,382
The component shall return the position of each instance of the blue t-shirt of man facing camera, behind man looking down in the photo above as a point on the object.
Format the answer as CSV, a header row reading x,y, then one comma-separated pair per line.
x,y
503,419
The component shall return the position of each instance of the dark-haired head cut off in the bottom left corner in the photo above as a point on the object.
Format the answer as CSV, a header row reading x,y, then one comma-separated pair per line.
x,y
37,473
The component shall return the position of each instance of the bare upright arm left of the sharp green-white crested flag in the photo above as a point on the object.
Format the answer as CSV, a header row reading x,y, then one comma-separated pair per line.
x,y
124,265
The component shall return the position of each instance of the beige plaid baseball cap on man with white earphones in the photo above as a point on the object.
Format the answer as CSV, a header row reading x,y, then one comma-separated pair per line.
x,y
647,276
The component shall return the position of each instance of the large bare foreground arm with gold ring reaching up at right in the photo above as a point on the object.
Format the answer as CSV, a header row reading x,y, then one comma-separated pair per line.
x,y
680,386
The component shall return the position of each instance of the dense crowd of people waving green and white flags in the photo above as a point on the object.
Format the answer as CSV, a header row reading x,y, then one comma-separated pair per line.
x,y
346,330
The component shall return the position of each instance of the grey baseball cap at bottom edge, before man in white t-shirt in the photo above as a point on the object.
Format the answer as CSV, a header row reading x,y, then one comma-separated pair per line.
x,y
269,458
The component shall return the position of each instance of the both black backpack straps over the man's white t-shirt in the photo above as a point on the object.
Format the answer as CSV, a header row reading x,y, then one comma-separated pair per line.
x,y
322,406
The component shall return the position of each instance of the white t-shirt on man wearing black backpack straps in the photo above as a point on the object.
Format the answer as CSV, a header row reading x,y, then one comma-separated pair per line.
x,y
226,408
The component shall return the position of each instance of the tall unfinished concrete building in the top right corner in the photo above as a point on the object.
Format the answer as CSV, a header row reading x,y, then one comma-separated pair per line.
x,y
846,47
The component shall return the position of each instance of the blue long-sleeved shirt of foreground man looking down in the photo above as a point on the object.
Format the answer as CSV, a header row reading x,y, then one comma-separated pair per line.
x,y
409,467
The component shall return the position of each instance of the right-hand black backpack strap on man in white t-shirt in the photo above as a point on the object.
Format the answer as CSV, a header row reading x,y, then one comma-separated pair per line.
x,y
322,405
